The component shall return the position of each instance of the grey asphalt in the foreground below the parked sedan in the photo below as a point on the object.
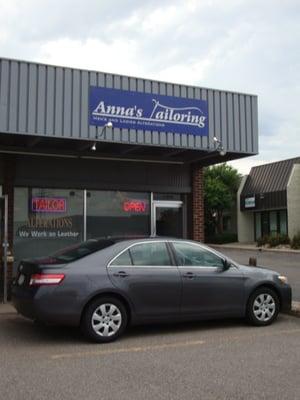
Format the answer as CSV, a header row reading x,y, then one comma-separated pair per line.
x,y
204,360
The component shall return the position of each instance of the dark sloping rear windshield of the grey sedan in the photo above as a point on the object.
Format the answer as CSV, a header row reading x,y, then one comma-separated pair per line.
x,y
81,250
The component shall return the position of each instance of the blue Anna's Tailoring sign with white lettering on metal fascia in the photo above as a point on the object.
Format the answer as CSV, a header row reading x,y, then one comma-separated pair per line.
x,y
147,111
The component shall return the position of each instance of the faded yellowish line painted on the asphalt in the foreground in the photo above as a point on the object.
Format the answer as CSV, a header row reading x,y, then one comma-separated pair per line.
x,y
127,350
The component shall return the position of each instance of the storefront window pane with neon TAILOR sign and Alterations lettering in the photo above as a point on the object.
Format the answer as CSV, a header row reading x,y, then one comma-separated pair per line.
x,y
46,220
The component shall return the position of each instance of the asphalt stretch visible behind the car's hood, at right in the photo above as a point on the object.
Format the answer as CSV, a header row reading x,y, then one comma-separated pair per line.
x,y
287,263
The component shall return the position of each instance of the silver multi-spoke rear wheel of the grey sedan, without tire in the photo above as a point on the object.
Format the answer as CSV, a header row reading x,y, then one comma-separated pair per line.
x,y
106,320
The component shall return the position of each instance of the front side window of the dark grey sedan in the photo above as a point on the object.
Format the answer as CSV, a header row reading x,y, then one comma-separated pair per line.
x,y
193,255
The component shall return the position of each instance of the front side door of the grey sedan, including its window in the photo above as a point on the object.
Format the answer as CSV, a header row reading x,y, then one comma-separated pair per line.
x,y
208,288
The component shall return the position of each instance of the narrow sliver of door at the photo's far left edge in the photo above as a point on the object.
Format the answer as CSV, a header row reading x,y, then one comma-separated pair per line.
x,y
4,246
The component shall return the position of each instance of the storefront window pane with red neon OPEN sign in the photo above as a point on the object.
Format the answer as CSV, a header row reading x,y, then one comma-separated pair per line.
x,y
117,213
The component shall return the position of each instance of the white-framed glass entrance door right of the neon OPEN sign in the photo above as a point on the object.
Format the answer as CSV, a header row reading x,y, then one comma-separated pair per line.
x,y
167,219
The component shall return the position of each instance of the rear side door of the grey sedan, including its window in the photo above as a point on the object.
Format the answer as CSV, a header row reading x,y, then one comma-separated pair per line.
x,y
146,274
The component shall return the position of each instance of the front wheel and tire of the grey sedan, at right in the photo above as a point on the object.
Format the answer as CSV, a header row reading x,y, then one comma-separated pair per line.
x,y
263,307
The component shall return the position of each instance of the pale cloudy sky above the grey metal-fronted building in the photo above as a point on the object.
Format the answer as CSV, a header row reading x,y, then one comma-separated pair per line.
x,y
250,46
